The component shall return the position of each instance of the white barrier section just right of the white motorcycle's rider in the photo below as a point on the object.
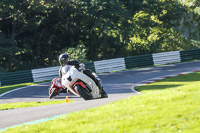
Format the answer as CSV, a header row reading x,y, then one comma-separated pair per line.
x,y
110,65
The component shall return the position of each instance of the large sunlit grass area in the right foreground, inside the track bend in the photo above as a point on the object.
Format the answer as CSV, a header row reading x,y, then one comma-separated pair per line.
x,y
168,106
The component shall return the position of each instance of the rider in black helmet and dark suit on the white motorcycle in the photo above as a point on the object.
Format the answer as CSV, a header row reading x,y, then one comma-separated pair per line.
x,y
64,60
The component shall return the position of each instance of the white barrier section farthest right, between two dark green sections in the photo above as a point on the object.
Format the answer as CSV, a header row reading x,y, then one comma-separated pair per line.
x,y
166,57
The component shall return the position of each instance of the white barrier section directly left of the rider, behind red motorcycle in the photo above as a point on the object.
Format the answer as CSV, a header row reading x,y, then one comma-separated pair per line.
x,y
45,73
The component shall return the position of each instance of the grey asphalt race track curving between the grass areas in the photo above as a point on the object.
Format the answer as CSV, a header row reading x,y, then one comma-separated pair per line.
x,y
117,85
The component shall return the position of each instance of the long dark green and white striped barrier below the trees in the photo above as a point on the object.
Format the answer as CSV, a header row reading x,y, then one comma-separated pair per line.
x,y
49,73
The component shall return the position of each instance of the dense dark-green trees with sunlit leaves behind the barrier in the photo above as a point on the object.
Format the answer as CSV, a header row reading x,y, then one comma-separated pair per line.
x,y
34,32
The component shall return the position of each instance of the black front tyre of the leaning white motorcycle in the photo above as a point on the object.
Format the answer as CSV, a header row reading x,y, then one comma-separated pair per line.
x,y
83,93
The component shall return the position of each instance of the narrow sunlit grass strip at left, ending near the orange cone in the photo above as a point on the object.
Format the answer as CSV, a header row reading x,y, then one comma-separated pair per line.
x,y
7,106
